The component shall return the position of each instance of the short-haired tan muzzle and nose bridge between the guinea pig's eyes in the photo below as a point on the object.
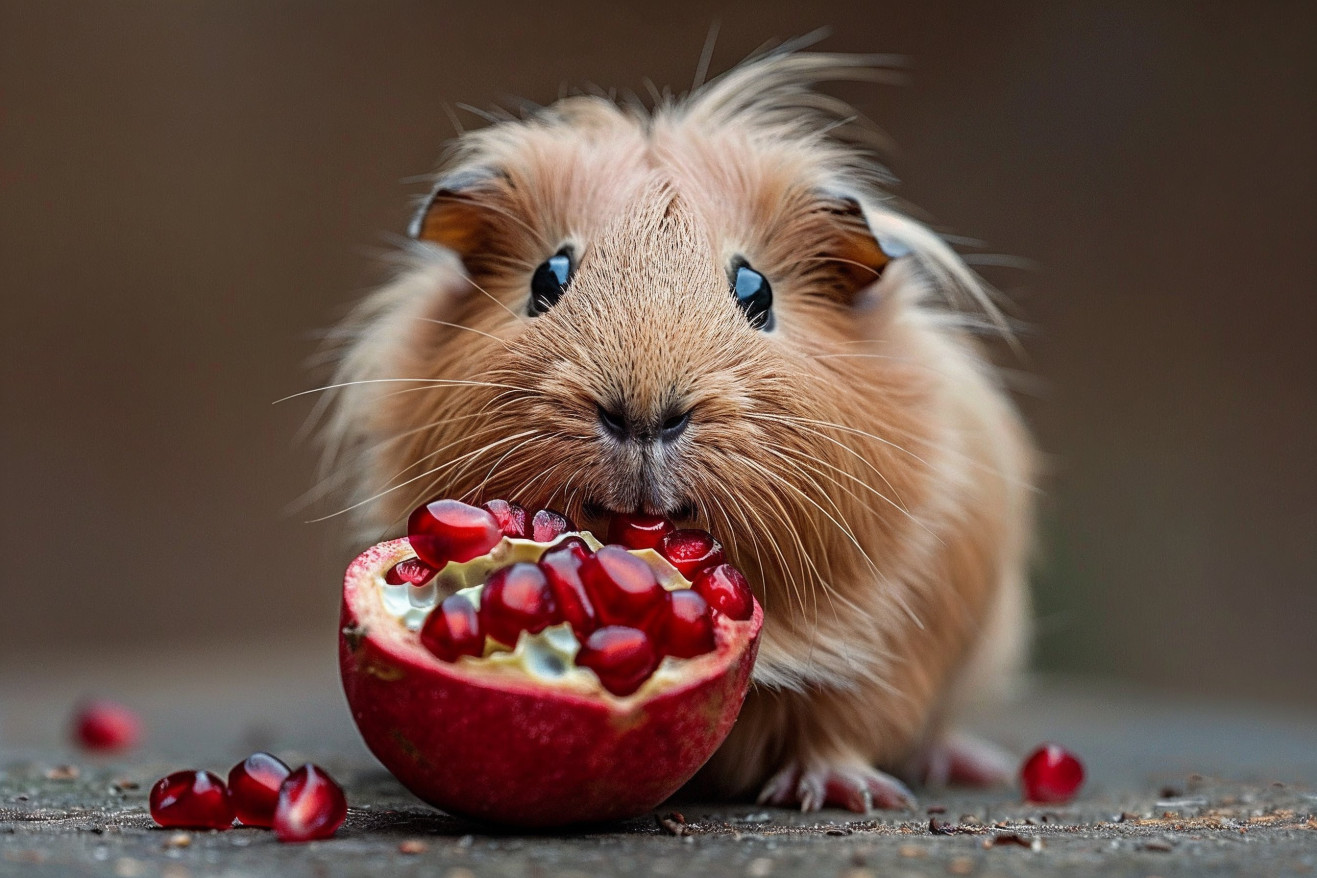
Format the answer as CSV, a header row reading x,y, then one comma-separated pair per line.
x,y
639,367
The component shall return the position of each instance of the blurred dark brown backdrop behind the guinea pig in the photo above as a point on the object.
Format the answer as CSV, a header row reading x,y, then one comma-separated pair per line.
x,y
192,192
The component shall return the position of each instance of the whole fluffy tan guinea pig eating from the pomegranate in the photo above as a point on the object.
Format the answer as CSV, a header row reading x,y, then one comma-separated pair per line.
x,y
711,310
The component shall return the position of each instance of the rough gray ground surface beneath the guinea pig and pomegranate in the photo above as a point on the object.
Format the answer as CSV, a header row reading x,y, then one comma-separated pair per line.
x,y
1175,789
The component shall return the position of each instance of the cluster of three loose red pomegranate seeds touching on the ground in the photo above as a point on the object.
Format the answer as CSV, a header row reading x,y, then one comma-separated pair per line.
x,y
263,792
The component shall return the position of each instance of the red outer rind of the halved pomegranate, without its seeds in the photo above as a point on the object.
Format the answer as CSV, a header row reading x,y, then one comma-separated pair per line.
x,y
510,751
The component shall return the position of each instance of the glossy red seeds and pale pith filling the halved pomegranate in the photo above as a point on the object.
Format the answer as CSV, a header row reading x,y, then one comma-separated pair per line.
x,y
556,600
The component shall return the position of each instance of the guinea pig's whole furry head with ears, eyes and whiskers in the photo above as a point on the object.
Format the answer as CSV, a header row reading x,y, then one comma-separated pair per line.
x,y
684,313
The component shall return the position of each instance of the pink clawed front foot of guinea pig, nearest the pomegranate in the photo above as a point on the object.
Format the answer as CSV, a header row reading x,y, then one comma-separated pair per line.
x,y
845,785
